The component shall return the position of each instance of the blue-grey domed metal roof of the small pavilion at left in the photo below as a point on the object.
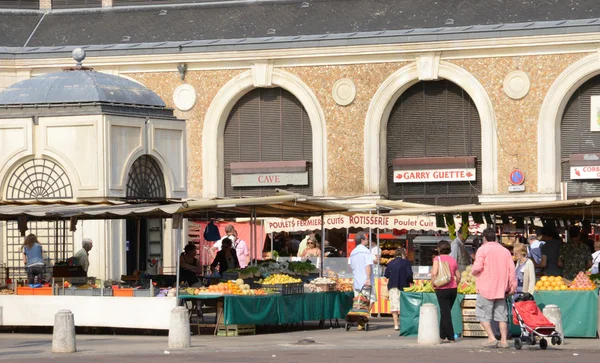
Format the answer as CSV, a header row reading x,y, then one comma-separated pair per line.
x,y
79,86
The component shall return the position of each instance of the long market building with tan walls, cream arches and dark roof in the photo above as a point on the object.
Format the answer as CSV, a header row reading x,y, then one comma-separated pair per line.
x,y
348,108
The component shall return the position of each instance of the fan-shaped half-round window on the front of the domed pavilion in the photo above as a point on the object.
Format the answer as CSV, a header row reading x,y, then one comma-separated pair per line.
x,y
39,179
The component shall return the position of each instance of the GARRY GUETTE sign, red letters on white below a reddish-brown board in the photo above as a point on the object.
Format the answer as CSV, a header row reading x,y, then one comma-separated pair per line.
x,y
444,169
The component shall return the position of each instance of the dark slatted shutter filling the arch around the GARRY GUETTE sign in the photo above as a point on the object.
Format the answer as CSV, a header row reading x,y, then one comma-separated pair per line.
x,y
434,120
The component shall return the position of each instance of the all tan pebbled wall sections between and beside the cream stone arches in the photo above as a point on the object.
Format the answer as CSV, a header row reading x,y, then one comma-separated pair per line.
x,y
516,120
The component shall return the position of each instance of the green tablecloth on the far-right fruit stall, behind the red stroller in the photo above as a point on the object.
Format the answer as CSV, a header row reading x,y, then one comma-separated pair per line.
x,y
579,310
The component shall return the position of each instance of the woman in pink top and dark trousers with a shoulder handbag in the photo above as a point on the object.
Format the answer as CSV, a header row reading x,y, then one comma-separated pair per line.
x,y
445,277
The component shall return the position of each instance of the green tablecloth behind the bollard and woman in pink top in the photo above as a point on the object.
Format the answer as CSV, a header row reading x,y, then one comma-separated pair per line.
x,y
410,305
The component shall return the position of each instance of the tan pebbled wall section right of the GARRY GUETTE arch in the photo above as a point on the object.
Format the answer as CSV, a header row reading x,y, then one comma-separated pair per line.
x,y
517,120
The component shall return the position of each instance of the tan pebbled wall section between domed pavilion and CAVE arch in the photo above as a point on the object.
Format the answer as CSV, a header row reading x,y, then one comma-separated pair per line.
x,y
206,84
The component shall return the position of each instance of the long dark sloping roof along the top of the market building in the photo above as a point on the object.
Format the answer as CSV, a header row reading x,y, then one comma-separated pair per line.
x,y
255,25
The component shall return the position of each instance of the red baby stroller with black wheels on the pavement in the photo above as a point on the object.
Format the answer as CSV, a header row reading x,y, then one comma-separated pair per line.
x,y
533,324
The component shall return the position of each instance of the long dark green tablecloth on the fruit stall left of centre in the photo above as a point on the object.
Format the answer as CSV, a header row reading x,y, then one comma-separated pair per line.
x,y
286,309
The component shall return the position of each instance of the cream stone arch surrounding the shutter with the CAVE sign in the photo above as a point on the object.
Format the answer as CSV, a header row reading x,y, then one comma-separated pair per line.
x,y
222,104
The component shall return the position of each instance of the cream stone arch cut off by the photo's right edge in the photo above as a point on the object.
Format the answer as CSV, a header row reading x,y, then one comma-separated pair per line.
x,y
550,118
